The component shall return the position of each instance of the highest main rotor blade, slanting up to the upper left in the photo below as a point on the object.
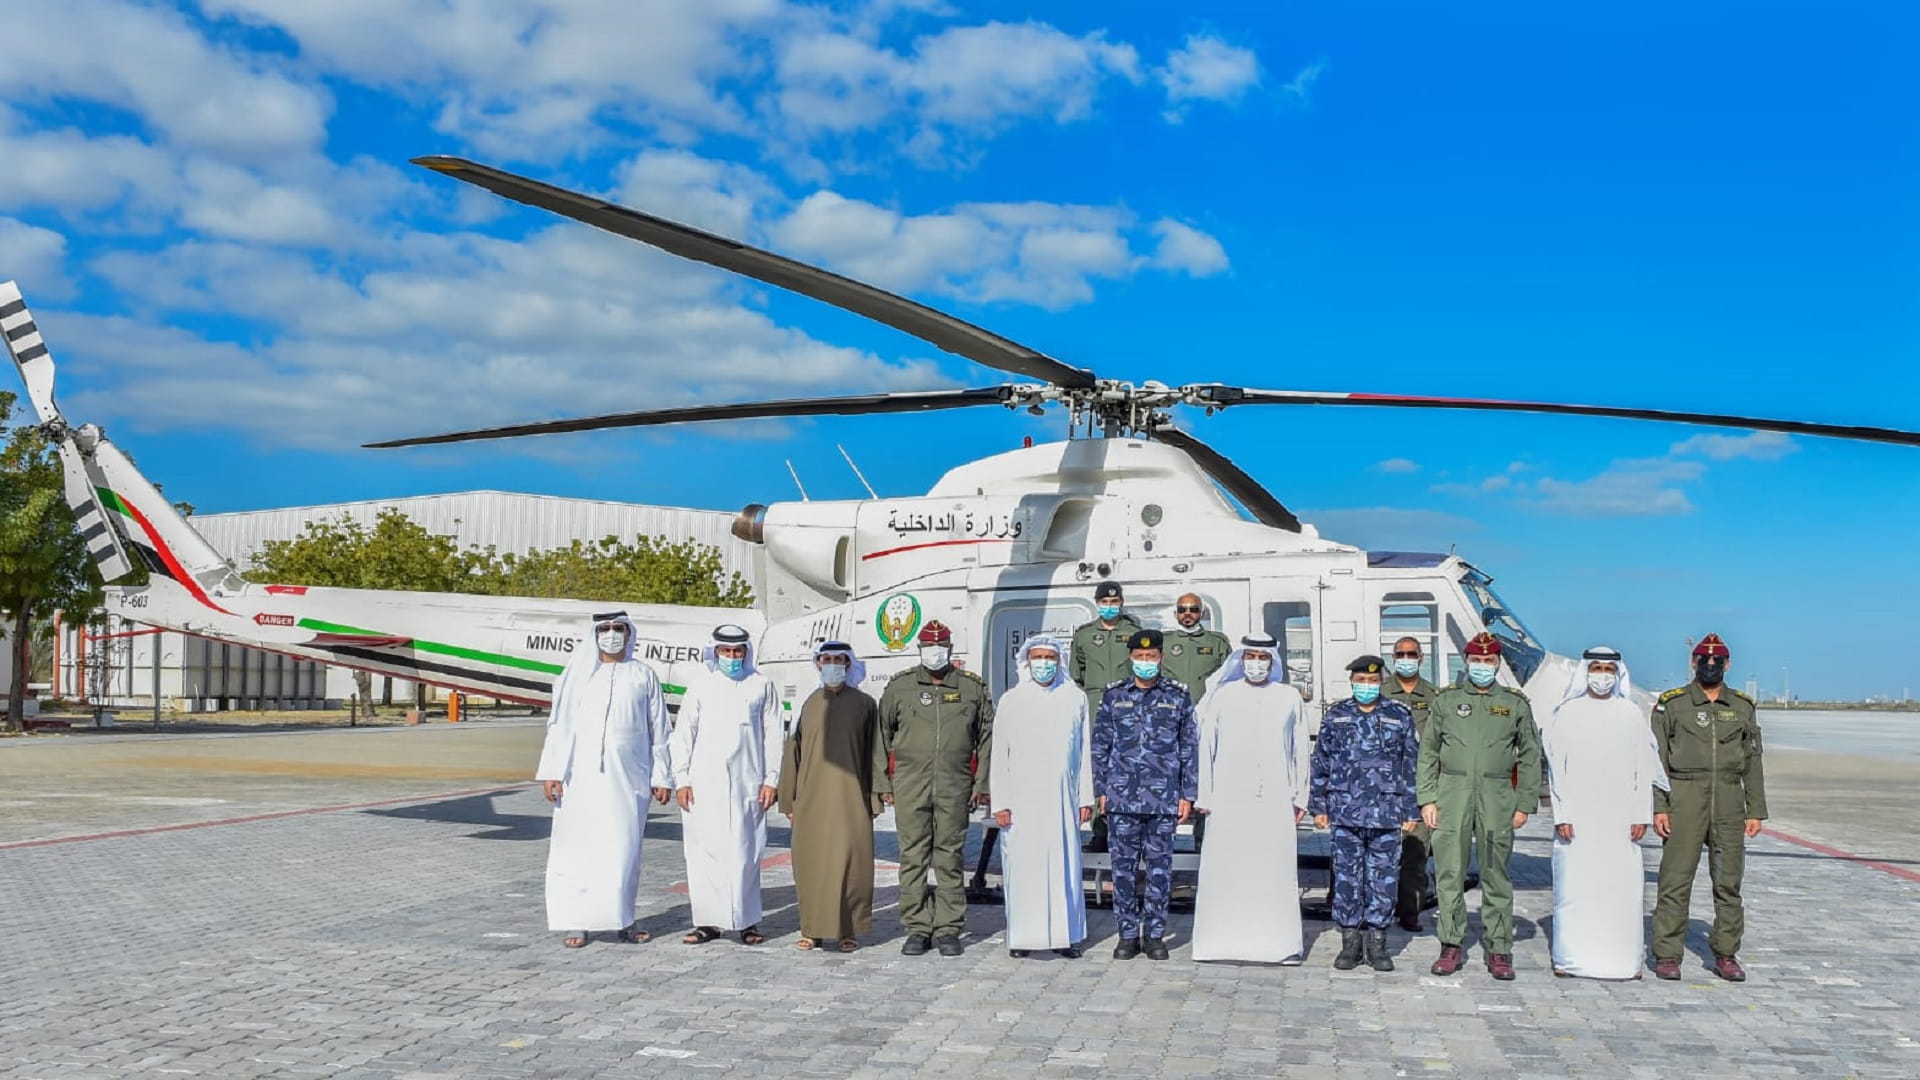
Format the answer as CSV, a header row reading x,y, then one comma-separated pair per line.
x,y
926,324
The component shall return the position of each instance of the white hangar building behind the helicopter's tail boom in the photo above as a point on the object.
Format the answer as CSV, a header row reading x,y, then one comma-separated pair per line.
x,y
116,668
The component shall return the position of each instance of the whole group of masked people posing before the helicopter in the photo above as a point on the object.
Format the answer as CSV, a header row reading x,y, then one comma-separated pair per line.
x,y
1103,731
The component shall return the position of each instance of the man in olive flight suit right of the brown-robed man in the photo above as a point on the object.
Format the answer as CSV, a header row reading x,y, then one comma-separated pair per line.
x,y
936,722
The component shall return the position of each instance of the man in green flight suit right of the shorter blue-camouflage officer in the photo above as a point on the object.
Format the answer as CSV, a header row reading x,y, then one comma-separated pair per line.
x,y
1479,779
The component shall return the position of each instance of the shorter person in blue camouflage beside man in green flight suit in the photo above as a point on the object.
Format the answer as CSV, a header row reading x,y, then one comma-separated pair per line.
x,y
1364,793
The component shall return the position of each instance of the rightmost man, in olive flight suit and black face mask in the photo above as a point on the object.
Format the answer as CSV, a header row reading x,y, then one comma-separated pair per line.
x,y
1710,745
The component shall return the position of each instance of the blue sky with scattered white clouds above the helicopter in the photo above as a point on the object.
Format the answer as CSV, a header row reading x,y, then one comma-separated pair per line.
x,y
1714,209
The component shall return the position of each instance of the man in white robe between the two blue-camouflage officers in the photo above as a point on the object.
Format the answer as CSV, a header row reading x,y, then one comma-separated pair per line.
x,y
1255,772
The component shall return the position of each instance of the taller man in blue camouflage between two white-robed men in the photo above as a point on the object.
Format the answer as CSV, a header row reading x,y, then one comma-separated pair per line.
x,y
1145,773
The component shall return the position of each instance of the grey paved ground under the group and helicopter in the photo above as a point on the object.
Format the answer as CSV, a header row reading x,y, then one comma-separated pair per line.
x,y
408,941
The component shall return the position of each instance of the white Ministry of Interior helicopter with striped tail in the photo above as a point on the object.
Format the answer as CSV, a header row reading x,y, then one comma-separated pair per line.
x,y
999,549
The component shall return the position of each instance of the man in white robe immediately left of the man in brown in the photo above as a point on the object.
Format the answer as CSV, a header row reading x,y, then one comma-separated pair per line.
x,y
727,772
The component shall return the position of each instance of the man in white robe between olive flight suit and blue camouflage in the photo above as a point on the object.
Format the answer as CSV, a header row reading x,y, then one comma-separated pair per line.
x,y
1042,797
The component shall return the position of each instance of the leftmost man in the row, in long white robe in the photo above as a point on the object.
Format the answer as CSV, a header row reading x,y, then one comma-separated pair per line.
x,y
606,749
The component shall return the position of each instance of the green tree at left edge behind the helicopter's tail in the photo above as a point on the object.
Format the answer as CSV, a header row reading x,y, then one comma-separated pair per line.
x,y
43,562
